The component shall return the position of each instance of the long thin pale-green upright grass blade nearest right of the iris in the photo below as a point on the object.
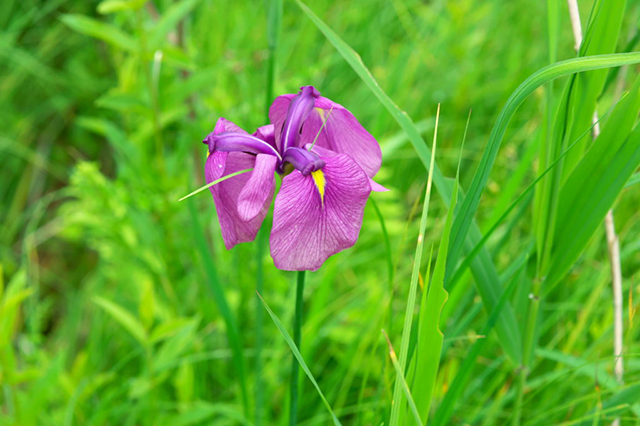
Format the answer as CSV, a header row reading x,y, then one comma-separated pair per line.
x,y
398,402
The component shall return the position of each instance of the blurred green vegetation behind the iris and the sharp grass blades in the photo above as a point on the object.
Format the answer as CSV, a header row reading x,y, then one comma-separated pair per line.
x,y
118,299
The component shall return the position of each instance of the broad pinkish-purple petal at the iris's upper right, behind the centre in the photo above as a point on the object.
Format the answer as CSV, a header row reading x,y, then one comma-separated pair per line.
x,y
343,134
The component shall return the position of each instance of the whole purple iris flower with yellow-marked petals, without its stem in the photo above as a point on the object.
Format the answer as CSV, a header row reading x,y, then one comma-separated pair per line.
x,y
328,161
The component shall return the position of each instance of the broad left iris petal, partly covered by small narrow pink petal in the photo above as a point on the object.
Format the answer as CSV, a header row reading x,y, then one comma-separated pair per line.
x,y
226,194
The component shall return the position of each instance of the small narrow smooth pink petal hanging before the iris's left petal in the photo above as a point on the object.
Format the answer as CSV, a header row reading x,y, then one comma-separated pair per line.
x,y
257,194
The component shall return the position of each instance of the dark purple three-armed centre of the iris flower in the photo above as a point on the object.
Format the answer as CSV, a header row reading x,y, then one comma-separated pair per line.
x,y
263,141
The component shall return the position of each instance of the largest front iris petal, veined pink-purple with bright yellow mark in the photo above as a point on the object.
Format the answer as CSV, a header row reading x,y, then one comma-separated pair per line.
x,y
318,215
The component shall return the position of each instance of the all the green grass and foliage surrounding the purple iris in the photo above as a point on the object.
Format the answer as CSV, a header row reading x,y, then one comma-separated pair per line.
x,y
120,305
